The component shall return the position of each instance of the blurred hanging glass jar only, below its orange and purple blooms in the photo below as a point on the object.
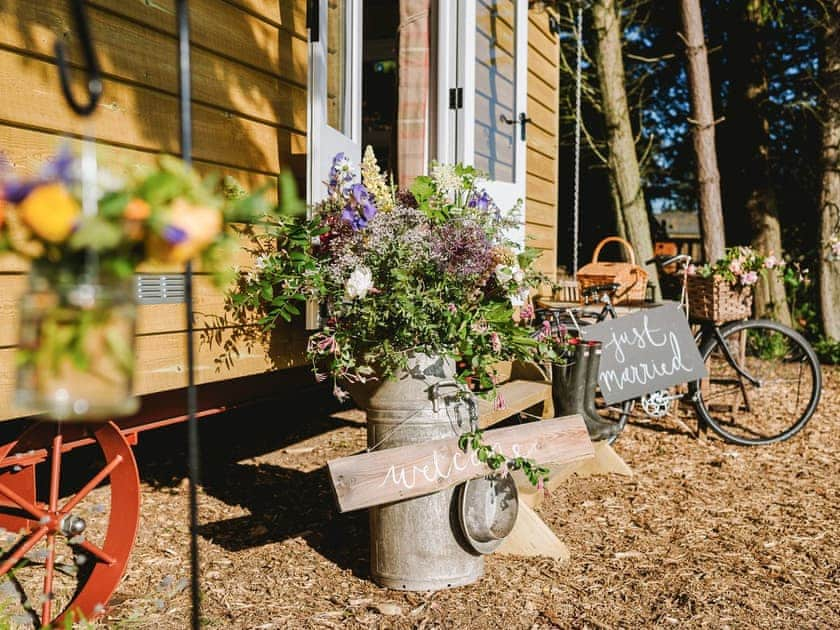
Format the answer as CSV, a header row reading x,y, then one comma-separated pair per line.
x,y
76,346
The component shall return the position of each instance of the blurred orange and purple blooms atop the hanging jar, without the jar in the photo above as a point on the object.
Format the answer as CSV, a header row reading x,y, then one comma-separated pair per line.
x,y
162,214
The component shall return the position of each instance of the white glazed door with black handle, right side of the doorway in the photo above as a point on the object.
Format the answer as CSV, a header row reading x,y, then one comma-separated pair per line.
x,y
482,80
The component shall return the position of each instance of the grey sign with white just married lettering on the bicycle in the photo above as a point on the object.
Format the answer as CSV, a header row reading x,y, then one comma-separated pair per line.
x,y
645,351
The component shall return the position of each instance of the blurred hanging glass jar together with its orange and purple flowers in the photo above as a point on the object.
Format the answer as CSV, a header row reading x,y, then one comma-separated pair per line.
x,y
84,241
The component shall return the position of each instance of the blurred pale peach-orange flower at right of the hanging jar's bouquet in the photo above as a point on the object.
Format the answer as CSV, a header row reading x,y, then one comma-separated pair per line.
x,y
189,230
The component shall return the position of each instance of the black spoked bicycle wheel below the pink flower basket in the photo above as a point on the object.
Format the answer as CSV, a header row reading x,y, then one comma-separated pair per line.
x,y
763,387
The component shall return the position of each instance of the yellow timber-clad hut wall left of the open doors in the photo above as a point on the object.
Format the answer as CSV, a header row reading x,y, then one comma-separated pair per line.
x,y
249,73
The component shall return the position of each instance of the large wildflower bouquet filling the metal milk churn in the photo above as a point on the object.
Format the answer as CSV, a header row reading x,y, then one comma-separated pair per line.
x,y
397,272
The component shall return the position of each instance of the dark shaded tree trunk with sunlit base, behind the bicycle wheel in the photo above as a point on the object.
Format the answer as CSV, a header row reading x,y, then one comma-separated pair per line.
x,y
753,175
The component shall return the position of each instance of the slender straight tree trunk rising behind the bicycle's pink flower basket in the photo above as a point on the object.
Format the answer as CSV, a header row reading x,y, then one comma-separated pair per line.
x,y
700,87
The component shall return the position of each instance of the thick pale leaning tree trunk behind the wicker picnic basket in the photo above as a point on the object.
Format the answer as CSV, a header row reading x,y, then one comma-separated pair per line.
x,y
623,164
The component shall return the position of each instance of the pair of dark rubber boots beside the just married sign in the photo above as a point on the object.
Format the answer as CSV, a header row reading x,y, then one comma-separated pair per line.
x,y
573,390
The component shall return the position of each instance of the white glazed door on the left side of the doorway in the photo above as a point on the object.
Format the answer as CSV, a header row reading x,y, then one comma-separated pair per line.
x,y
335,88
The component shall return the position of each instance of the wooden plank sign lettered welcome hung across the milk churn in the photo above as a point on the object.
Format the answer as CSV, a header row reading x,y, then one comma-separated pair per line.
x,y
404,472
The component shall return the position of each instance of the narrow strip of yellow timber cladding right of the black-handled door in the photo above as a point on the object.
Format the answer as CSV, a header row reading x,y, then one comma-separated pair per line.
x,y
541,177
